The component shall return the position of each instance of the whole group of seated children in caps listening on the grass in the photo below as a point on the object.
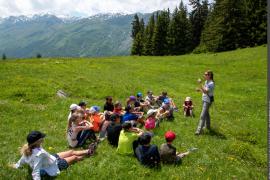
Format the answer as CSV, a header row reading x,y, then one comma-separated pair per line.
x,y
115,123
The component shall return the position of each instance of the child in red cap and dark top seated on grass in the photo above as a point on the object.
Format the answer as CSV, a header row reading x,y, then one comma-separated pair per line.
x,y
168,152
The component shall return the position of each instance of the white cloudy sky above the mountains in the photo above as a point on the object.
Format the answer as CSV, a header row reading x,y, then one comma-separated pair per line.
x,y
83,7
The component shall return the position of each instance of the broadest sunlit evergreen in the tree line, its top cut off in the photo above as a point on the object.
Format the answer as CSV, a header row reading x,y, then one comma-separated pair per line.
x,y
226,27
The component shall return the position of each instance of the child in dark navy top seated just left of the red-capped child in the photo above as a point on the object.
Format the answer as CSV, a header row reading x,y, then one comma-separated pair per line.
x,y
146,153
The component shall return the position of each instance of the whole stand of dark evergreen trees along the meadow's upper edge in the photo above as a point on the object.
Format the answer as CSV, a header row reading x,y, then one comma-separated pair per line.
x,y
210,27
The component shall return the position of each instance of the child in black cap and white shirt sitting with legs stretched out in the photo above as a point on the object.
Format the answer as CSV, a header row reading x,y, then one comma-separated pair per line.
x,y
45,164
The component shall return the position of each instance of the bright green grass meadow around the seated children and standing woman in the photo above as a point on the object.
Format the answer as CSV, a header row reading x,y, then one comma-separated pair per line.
x,y
236,149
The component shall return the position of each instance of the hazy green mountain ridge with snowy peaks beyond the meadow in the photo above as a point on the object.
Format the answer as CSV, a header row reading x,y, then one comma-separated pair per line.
x,y
52,36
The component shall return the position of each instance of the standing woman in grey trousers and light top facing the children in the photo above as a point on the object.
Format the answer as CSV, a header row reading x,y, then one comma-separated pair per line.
x,y
207,99
